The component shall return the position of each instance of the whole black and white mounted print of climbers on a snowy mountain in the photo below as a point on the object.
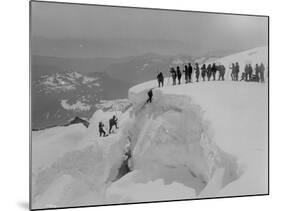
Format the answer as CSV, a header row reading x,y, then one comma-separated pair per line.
x,y
134,105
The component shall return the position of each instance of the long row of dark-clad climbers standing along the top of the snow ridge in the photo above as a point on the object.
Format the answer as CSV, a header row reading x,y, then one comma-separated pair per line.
x,y
211,71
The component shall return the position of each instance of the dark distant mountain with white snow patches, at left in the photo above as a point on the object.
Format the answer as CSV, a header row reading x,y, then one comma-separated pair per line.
x,y
59,97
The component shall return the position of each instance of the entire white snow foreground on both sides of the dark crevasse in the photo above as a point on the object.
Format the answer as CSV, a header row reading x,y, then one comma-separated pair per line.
x,y
194,140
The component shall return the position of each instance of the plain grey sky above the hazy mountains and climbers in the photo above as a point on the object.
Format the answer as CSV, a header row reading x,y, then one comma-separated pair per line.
x,y
202,32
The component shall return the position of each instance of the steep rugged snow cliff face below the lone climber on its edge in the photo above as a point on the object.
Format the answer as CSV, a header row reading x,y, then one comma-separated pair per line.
x,y
172,142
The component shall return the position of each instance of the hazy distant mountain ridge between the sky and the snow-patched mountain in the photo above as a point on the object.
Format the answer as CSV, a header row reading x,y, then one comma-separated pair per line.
x,y
132,70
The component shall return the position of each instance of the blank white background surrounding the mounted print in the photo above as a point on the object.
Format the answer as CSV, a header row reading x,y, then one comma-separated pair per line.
x,y
14,103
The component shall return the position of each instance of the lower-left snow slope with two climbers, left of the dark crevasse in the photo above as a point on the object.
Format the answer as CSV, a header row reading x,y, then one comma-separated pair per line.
x,y
72,165
